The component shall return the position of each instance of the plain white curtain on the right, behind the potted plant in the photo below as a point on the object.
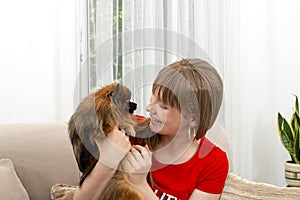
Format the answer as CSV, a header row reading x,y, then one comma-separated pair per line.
x,y
261,72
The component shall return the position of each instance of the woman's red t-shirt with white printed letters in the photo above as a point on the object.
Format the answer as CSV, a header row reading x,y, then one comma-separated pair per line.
x,y
206,171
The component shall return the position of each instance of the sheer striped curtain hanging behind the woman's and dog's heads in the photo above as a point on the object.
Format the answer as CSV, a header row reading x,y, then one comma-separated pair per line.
x,y
150,35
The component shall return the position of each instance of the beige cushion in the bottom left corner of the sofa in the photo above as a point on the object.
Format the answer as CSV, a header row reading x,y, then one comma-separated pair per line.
x,y
10,185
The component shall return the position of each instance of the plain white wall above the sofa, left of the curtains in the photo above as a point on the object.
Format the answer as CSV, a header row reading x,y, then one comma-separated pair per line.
x,y
37,60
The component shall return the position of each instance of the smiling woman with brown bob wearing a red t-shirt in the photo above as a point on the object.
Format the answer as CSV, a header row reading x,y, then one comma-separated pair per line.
x,y
185,101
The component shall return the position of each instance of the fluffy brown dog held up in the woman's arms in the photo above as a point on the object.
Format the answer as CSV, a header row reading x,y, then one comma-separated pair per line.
x,y
94,118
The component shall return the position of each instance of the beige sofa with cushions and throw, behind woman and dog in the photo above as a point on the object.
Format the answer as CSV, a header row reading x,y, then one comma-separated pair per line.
x,y
36,161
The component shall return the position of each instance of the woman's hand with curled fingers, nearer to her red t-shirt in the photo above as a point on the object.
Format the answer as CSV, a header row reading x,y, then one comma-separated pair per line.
x,y
137,163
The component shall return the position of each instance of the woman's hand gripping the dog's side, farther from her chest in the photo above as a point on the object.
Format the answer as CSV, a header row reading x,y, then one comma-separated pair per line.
x,y
113,148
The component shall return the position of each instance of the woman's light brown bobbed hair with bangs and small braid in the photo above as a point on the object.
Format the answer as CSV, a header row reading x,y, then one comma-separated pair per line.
x,y
193,87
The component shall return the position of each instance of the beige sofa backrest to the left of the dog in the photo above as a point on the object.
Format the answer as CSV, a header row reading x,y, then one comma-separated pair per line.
x,y
42,156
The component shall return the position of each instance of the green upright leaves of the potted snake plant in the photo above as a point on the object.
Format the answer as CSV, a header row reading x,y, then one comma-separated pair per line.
x,y
290,133
